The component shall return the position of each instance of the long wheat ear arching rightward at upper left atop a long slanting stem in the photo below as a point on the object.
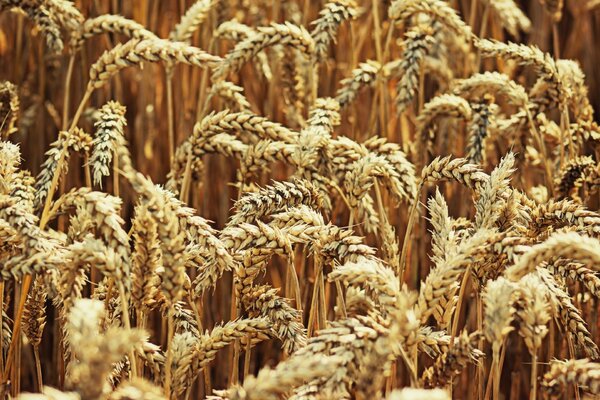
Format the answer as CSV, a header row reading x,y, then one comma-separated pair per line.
x,y
135,51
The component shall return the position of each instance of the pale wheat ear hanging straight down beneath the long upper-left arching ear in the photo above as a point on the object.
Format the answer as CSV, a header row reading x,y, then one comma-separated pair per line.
x,y
109,131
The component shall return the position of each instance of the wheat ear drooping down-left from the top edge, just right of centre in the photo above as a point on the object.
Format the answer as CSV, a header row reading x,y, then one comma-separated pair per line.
x,y
333,14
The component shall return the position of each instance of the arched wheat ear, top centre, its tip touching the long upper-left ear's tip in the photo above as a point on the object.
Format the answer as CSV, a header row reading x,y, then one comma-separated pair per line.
x,y
276,34
